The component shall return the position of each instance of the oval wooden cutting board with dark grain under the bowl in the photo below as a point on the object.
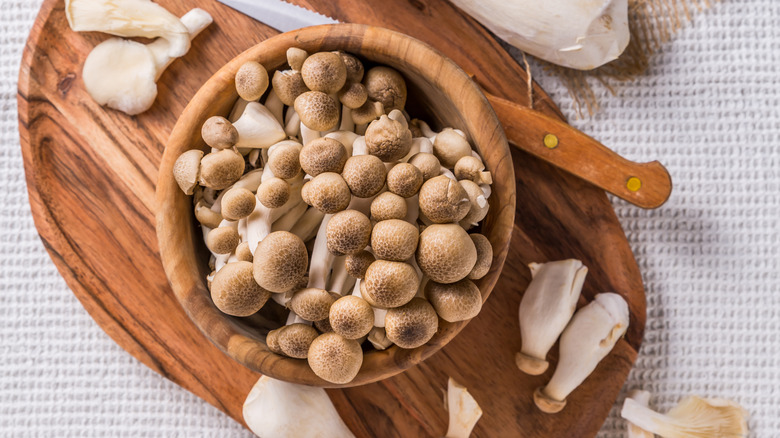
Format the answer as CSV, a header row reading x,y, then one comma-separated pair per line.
x,y
91,176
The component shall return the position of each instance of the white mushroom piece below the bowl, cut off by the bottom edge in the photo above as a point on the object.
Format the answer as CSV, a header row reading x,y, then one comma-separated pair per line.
x,y
279,409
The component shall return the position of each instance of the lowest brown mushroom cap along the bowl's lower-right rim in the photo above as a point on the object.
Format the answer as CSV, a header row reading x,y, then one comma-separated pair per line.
x,y
412,324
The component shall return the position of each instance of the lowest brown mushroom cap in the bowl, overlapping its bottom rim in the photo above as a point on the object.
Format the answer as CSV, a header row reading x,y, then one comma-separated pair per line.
x,y
334,358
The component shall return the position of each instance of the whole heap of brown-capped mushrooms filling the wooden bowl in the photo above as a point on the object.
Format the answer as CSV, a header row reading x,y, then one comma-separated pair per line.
x,y
329,200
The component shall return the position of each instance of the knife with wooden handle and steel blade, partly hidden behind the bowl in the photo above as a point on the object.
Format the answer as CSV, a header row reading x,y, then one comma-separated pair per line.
x,y
646,185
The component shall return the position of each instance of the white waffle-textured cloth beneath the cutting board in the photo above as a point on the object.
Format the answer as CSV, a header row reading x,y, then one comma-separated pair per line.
x,y
709,108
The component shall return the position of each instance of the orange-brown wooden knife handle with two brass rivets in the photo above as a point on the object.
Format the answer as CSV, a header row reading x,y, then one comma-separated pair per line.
x,y
646,185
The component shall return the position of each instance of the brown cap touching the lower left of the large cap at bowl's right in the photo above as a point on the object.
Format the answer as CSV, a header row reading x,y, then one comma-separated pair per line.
x,y
389,284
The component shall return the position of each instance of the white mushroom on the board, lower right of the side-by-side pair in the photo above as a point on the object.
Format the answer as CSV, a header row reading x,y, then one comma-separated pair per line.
x,y
589,337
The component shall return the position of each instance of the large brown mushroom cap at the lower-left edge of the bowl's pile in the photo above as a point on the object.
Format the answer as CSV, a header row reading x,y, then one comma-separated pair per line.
x,y
235,292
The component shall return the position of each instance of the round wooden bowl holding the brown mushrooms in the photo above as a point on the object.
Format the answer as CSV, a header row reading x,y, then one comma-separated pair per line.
x,y
439,92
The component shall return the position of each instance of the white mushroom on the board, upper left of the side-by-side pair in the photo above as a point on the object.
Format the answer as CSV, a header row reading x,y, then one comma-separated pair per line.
x,y
546,308
